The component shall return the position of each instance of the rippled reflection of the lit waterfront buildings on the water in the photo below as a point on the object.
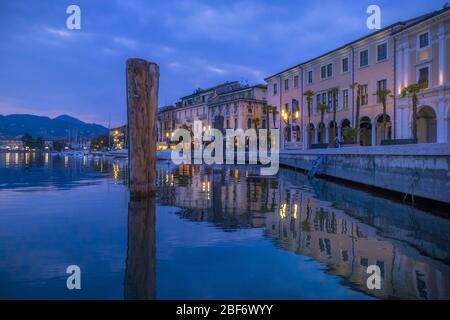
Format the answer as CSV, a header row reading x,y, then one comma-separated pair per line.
x,y
299,222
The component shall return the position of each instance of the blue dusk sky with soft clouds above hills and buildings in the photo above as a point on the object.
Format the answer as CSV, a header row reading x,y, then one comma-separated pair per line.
x,y
46,69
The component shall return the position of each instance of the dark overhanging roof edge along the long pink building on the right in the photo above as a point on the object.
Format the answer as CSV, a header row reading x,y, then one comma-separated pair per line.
x,y
405,24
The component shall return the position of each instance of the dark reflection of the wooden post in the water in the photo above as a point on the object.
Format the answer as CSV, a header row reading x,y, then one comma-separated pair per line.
x,y
140,273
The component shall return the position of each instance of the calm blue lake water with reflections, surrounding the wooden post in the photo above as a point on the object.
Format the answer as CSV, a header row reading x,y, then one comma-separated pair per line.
x,y
220,233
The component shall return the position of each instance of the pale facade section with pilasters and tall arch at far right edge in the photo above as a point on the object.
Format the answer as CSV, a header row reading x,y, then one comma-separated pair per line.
x,y
422,56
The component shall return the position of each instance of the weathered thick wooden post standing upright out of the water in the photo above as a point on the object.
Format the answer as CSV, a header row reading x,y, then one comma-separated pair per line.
x,y
142,103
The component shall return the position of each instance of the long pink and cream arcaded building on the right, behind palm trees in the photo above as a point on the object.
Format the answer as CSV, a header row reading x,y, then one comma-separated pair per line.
x,y
391,58
